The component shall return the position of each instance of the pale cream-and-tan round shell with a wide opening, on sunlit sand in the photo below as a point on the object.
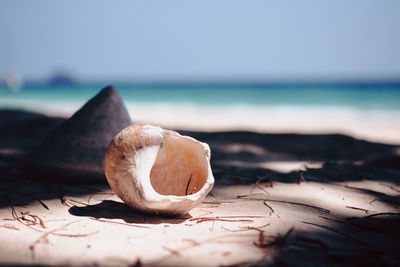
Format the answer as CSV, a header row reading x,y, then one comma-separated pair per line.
x,y
158,171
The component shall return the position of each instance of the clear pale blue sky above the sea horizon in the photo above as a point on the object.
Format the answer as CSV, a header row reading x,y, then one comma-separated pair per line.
x,y
201,40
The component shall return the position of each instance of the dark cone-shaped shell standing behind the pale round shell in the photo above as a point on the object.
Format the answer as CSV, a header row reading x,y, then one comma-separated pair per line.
x,y
75,150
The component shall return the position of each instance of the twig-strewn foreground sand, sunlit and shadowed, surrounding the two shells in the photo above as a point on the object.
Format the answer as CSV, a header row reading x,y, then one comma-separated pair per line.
x,y
279,199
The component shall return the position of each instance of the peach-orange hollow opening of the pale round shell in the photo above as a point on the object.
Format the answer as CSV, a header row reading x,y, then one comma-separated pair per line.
x,y
181,167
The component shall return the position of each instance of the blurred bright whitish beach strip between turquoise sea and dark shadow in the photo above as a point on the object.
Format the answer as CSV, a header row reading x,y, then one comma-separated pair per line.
x,y
373,125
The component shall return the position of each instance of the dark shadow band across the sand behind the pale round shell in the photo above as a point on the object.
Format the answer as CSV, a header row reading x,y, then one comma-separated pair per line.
x,y
233,156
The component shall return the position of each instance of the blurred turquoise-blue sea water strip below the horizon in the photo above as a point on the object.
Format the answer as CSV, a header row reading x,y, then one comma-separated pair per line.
x,y
361,97
